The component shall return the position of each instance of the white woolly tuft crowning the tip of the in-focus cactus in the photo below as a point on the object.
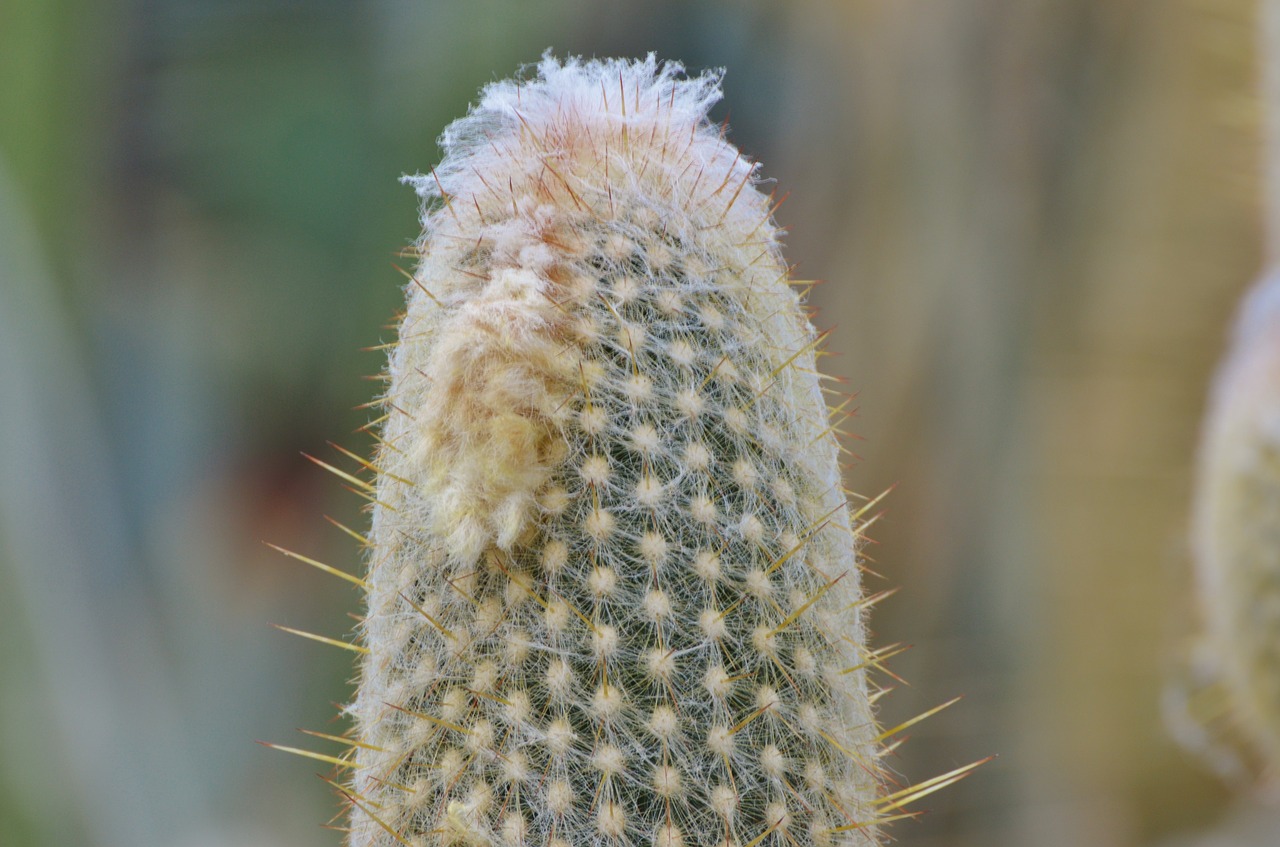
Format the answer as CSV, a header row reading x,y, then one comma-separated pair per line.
x,y
582,115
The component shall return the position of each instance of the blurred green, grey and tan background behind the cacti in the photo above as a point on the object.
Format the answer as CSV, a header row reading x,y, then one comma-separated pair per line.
x,y
1034,218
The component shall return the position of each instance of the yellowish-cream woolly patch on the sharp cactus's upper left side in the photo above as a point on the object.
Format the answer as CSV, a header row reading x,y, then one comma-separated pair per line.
x,y
483,432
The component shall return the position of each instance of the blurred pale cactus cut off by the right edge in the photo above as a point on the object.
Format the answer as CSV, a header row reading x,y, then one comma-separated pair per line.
x,y
1224,702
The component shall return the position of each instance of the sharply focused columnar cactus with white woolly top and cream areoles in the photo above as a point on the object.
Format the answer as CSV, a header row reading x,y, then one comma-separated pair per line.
x,y
614,583
